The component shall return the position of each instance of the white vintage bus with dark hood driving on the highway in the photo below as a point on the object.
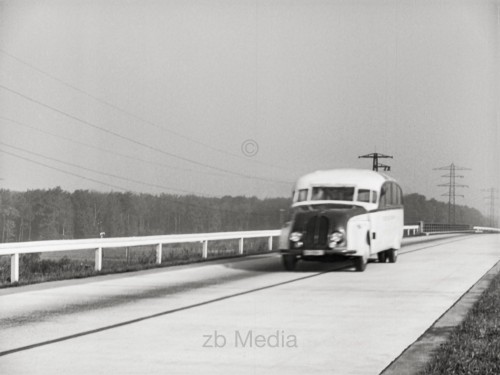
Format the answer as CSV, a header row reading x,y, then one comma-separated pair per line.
x,y
344,213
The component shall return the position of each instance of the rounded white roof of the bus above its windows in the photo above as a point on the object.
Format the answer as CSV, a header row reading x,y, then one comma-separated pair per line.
x,y
363,178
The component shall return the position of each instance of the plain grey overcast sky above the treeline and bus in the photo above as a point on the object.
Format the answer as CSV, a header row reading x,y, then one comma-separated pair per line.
x,y
161,96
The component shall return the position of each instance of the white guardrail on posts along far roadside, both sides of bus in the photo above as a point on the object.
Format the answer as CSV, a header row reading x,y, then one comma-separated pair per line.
x,y
15,248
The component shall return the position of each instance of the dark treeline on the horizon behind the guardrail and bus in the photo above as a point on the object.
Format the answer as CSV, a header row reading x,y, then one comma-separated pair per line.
x,y
57,214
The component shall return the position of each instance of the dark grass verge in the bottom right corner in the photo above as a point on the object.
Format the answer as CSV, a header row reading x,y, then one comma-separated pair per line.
x,y
474,346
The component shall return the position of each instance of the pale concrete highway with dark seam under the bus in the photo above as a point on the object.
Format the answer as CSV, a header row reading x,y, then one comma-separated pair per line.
x,y
241,316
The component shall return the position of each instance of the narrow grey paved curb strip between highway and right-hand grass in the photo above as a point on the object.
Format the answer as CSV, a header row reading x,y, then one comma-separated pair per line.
x,y
417,355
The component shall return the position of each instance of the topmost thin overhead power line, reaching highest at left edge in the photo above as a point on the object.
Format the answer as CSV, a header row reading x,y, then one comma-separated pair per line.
x,y
130,114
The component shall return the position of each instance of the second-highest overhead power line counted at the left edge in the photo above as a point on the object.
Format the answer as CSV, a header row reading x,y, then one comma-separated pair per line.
x,y
115,134
